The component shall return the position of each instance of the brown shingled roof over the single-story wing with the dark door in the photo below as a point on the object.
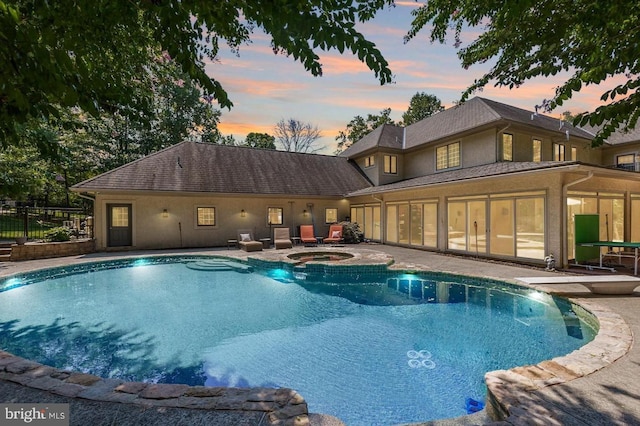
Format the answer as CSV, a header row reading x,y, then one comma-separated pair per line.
x,y
211,168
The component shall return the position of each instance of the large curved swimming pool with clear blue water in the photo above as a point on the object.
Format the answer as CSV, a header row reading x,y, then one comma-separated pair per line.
x,y
395,349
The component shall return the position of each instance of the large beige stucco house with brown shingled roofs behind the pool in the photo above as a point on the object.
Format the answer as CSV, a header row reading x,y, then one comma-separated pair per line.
x,y
482,178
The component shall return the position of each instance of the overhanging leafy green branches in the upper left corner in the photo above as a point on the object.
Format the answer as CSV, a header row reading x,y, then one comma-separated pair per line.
x,y
92,54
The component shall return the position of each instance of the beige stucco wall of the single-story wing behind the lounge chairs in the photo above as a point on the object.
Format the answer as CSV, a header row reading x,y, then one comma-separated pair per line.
x,y
150,229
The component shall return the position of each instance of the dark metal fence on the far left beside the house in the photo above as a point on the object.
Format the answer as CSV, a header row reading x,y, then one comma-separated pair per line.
x,y
34,222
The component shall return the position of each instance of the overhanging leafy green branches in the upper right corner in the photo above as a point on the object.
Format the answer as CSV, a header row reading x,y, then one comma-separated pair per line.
x,y
592,41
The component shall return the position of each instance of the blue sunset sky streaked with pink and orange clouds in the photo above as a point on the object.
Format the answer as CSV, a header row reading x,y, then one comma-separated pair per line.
x,y
266,88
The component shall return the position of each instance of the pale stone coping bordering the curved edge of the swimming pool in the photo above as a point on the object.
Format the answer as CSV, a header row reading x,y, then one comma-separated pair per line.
x,y
509,392
